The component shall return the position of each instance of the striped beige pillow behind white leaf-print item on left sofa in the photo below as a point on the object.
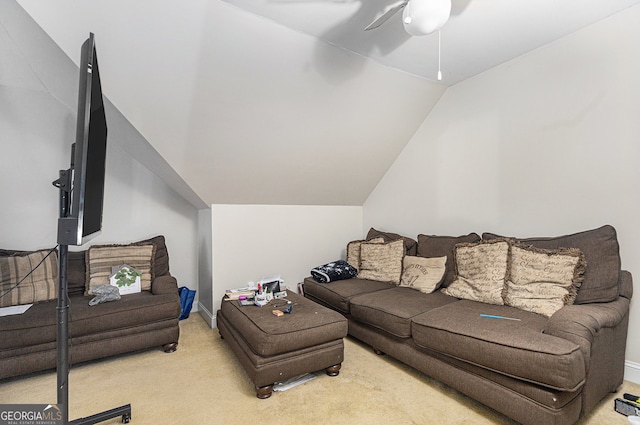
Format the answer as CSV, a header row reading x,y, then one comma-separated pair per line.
x,y
100,259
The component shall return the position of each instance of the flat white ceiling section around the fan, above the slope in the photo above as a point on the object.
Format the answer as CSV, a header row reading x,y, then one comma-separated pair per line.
x,y
479,35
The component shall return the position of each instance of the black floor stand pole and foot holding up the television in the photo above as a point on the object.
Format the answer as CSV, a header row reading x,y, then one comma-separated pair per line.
x,y
62,323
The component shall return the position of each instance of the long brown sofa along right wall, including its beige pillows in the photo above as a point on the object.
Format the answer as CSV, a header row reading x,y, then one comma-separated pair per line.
x,y
536,366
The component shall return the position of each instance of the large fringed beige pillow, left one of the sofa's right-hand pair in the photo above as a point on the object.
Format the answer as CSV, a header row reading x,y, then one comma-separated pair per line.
x,y
481,271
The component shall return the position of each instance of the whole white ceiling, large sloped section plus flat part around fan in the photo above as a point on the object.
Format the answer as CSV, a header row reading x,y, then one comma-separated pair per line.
x,y
248,109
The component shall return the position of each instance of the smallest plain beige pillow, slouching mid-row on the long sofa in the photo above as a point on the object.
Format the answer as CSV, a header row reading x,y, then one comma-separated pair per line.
x,y
423,274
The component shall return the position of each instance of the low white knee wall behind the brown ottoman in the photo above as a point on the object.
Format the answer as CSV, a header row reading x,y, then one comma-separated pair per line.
x,y
255,241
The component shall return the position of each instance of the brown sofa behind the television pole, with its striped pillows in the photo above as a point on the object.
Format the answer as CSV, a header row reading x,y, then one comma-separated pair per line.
x,y
135,322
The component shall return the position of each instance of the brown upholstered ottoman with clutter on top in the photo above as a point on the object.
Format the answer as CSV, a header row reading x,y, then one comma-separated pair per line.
x,y
273,349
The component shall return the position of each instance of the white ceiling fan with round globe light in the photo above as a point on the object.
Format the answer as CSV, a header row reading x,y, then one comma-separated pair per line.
x,y
420,17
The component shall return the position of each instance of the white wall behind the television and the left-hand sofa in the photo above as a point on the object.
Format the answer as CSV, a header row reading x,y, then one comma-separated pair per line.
x,y
38,97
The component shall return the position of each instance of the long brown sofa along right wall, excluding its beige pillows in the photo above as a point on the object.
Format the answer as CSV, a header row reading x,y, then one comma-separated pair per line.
x,y
535,370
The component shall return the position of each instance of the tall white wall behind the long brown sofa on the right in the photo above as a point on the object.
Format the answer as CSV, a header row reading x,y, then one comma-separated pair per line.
x,y
546,144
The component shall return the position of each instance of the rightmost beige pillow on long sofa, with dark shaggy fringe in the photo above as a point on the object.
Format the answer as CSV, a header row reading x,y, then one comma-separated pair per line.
x,y
543,281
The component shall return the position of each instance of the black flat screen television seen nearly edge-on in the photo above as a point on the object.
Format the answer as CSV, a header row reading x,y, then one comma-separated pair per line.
x,y
88,158
